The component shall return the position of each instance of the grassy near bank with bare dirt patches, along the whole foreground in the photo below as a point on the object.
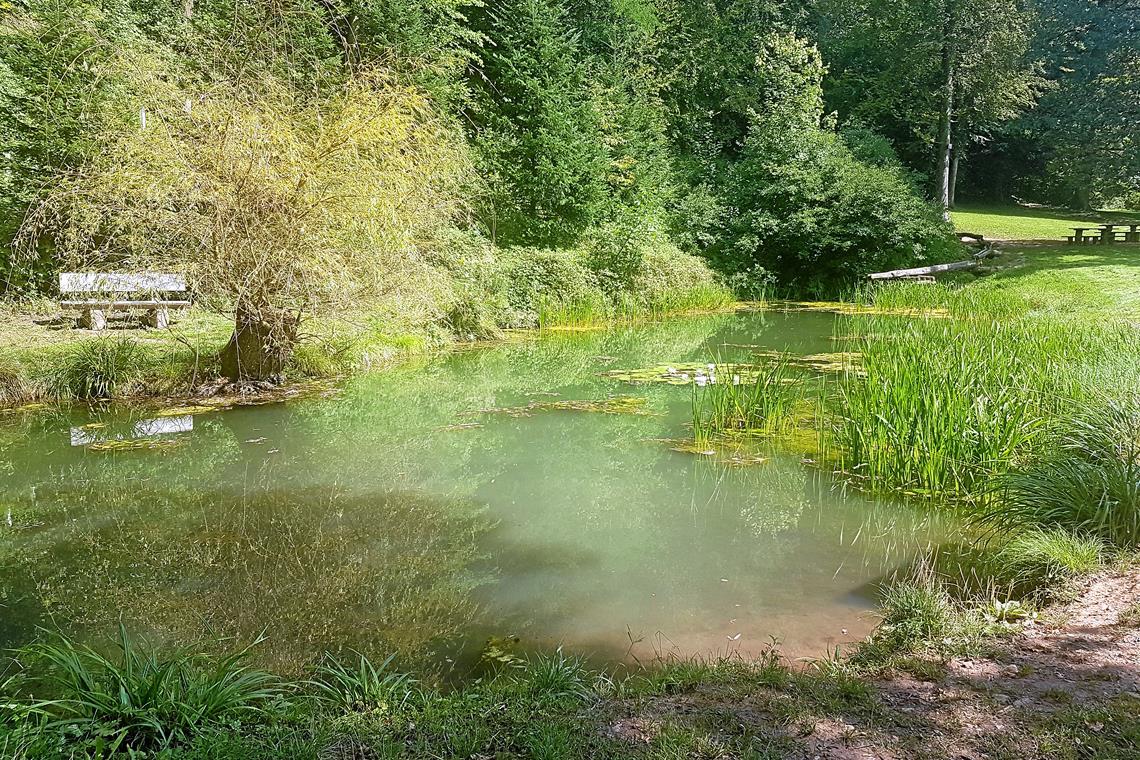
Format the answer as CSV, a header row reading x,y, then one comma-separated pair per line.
x,y
62,700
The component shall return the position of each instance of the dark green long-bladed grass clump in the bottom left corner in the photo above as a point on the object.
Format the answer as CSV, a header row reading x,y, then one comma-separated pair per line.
x,y
141,701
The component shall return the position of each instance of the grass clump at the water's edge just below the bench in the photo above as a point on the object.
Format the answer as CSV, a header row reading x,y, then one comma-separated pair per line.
x,y
99,369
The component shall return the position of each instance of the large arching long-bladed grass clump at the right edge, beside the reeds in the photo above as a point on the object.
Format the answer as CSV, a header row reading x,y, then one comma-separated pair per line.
x,y
1088,481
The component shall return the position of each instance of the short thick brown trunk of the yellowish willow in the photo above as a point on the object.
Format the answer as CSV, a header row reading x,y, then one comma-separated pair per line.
x,y
262,345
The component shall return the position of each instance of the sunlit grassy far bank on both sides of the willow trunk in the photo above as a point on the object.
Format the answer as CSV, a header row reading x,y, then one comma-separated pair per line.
x,y
46,359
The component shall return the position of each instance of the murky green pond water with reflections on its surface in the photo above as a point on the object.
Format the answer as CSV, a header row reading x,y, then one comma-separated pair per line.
x,y
397,516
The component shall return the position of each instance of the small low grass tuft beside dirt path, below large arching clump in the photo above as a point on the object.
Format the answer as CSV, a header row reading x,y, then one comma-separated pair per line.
x,y
1044,561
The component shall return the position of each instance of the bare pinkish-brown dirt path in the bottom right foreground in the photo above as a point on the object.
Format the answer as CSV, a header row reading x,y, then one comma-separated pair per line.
x,y
1065,689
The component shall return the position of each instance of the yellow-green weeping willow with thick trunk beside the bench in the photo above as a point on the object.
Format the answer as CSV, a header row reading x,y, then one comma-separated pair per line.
x,y
276,207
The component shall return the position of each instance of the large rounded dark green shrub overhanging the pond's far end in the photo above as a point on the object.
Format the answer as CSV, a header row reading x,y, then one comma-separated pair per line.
x,y
819,219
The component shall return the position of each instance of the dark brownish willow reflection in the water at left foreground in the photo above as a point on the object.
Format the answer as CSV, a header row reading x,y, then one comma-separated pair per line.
x,y
316,570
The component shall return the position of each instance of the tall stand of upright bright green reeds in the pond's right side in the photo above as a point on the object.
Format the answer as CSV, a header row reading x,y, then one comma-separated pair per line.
x,y
941,407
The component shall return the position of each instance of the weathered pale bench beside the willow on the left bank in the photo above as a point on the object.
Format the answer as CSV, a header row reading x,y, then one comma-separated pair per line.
x,y
96,293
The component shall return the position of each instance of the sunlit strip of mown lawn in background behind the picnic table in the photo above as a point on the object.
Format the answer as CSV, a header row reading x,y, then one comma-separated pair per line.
x,y
1029,223
